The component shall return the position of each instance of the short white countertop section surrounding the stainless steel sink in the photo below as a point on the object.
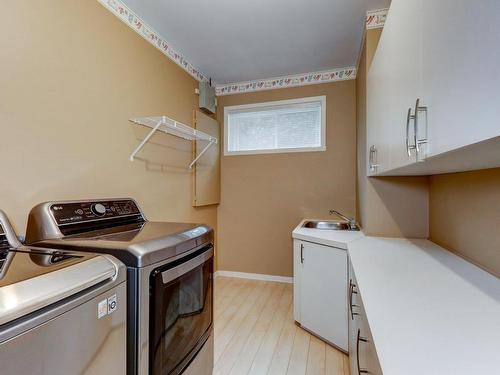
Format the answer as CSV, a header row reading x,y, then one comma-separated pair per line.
x,y
335,238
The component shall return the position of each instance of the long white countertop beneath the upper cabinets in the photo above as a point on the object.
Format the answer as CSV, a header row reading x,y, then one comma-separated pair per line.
x,y
430,312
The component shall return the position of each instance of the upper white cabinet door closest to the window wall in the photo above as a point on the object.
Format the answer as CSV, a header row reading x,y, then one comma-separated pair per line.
x,y
394,83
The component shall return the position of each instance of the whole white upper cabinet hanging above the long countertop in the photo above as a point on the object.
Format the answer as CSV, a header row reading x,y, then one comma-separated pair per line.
x,y
444,54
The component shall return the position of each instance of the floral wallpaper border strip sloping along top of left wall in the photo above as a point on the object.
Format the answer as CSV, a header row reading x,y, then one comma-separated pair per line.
x,y
138,25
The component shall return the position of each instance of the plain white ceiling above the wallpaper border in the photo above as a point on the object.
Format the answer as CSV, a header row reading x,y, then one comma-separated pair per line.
x,y
241,40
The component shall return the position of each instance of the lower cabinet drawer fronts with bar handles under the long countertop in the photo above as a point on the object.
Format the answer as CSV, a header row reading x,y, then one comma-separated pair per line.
x,y
362,353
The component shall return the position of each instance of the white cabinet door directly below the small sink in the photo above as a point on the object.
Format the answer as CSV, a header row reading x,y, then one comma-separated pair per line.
x,y
323,293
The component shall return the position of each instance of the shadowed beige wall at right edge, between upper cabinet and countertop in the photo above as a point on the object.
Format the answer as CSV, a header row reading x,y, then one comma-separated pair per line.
x,y
465,215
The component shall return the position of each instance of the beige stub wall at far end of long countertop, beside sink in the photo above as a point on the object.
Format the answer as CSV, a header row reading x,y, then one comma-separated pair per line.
x,y
390,206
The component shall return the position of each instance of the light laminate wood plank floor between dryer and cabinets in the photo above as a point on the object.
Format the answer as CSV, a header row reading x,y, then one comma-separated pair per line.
x,y
255,333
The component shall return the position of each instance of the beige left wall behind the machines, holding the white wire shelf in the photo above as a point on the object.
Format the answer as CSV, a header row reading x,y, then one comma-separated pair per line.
x,y
72,76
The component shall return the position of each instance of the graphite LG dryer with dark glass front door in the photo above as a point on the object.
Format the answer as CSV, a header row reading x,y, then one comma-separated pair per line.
x,y
169,278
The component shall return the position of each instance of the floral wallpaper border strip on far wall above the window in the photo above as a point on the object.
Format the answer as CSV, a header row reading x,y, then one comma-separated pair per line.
x,y
287,81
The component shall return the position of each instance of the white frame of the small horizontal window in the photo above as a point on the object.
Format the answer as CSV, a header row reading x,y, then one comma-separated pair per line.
x,y
322,147
